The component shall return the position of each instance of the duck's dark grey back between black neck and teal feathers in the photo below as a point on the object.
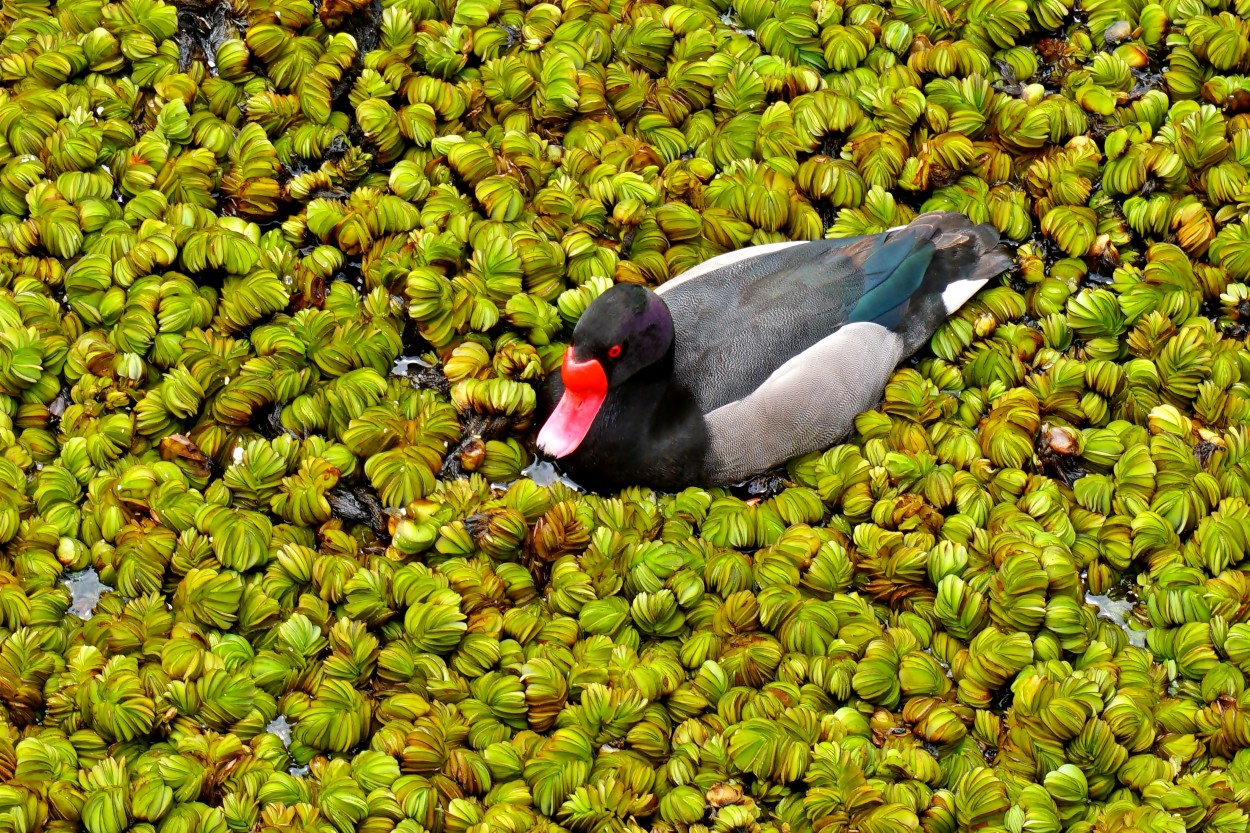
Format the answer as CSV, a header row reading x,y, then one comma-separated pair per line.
x,y
738,317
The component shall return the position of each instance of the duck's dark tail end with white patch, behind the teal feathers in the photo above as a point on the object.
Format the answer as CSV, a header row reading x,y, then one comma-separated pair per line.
x,y
964,258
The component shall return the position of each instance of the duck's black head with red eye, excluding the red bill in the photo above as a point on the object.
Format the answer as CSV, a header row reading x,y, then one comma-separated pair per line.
x,y
626,330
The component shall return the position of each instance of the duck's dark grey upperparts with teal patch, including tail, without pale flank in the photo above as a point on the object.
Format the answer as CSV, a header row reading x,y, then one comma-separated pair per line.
x,y
741,317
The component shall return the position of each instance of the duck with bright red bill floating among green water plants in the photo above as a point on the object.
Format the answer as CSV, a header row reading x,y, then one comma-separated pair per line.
x,y
754,357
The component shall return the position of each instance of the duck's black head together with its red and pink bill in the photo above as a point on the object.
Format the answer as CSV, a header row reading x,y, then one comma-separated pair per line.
x,y
623,332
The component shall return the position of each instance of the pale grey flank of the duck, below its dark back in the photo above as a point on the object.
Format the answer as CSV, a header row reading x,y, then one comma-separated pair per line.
x,y
808,405
